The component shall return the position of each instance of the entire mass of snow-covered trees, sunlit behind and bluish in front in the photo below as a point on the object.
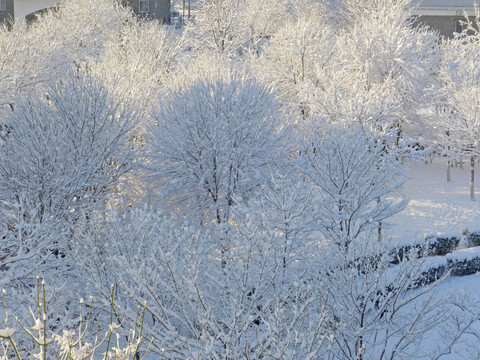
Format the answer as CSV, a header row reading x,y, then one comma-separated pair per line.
x,y
234,177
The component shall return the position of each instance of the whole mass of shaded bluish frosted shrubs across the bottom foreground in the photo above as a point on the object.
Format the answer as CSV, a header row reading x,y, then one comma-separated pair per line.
x,y
265,295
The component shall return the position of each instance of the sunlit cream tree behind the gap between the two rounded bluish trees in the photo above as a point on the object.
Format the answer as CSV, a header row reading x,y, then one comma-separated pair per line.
x,y
138,64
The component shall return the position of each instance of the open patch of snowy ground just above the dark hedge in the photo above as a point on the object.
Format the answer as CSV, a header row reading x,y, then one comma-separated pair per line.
x,y
435,205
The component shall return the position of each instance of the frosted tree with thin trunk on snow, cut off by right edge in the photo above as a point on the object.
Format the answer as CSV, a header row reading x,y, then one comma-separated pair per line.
x,y
456,122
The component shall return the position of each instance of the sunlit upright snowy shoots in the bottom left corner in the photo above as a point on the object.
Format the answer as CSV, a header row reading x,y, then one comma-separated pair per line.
x,y
82,341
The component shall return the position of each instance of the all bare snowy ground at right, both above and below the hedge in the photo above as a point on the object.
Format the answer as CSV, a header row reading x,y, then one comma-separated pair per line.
x,y
438,207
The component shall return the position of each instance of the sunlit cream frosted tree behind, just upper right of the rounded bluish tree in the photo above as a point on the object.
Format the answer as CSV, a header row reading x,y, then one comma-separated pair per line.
x,y
287,64
